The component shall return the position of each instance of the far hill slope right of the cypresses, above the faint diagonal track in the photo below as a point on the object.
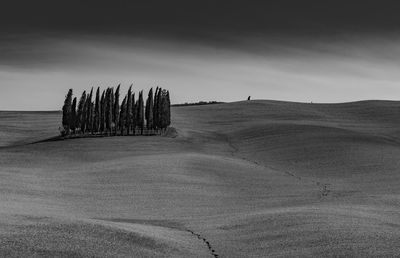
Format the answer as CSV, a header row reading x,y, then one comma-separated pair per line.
x,y
332,142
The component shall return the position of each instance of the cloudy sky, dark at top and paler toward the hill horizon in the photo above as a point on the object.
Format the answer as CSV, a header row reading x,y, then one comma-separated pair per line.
x,y
320,51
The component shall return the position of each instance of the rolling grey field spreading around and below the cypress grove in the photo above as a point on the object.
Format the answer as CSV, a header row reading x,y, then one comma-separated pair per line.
x,y
244,179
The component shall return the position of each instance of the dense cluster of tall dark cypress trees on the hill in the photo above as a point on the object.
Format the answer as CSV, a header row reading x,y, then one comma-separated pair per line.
x,y
103,114
